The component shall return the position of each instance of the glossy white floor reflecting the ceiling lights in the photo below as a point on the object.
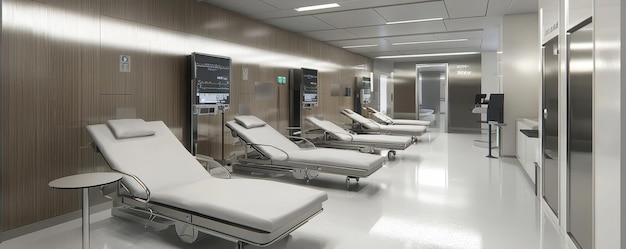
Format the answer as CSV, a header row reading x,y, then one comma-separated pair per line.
x,y
444,194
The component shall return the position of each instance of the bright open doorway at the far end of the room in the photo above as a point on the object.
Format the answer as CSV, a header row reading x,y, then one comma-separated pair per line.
x,y
432,94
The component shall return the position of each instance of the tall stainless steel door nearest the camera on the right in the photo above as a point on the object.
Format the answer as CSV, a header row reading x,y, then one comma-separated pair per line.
x,y
580,136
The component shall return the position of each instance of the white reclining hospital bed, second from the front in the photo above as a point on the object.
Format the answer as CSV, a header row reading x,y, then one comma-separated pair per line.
x,y
274,152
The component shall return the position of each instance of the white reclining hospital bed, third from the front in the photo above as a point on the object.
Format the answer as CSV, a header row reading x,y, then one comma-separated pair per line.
x,y
336,137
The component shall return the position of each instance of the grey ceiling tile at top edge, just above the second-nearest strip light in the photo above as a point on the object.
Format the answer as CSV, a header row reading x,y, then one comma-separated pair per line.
x,y
413,11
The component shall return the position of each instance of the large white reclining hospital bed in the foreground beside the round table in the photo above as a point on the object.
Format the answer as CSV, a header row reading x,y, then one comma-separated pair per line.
x,y
165,185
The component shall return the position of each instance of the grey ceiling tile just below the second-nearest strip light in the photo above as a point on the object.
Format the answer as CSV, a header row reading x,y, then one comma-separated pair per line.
x,y
399,29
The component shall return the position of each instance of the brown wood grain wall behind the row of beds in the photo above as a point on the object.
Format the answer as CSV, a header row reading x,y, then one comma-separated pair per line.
x,y
60,72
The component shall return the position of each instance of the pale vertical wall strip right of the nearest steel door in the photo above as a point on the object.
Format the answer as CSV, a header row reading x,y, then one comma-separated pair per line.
x,y
608,141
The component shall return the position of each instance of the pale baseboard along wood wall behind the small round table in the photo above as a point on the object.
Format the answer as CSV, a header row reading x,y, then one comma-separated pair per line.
x,y
30,228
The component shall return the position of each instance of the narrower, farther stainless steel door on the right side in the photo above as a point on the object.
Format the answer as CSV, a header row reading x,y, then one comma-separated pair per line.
x,y
550,138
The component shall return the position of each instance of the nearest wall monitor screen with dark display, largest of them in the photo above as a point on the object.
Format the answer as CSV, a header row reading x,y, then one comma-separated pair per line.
x,y
212,78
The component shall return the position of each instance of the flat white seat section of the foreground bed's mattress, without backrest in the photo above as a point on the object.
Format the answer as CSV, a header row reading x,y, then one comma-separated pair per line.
x,y
263,205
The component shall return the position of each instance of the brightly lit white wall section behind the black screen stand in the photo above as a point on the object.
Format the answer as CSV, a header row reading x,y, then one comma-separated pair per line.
x,y
521,74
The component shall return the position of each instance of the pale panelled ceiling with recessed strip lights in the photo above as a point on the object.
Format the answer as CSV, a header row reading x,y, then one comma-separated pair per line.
x,y
363,22
